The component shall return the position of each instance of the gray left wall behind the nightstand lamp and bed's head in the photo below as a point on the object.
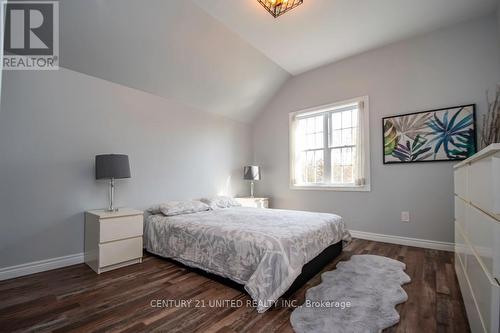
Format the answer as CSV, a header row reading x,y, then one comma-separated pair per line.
x,y
53,123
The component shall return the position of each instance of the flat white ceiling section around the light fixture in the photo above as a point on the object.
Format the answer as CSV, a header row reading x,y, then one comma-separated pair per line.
x,y
323,31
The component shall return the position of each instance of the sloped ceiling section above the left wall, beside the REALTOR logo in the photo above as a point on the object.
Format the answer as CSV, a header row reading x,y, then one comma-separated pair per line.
x,y
170,48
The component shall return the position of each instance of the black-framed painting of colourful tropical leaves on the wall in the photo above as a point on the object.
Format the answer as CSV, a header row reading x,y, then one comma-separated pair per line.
x,y
438,135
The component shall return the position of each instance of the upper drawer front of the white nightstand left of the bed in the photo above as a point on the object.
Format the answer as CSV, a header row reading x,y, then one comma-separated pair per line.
x,y
111,229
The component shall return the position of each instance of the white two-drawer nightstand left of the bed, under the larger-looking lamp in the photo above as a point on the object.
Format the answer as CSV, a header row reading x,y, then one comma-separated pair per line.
x,y
113,239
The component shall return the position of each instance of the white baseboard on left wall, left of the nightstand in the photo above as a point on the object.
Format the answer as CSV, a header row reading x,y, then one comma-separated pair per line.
x,y
40,266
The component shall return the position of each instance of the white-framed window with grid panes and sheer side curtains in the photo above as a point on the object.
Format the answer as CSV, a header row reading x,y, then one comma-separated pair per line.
x,y
329,147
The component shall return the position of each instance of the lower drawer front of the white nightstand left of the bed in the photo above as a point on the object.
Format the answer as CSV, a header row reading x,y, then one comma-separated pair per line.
x,y
120,251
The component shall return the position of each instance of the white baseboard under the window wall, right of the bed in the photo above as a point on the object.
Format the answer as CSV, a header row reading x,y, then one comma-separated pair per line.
x,y
425,243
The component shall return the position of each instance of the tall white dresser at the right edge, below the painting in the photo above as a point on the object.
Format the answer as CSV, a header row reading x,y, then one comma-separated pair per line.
x,y
477,237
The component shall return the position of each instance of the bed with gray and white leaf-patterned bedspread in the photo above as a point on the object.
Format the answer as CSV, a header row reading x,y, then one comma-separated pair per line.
x,y
265,250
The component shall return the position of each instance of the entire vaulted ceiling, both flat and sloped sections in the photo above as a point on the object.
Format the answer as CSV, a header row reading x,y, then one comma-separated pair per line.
x,y
230,57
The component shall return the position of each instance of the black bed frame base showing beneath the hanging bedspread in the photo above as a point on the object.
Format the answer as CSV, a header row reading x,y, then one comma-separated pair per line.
x,y
309,270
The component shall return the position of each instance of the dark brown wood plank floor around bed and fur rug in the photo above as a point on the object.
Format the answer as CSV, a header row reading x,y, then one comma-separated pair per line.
x,y
75,299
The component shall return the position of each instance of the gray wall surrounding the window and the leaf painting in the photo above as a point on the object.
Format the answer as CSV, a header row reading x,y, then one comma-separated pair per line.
x,y
445,68
